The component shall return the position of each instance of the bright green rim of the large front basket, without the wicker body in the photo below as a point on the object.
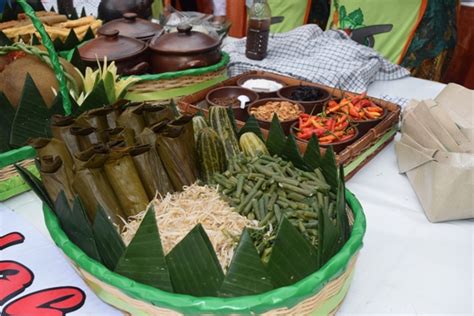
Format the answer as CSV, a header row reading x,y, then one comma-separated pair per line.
x,y
282,297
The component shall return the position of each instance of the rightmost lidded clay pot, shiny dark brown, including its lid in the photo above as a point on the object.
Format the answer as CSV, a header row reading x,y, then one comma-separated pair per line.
x,y
183,50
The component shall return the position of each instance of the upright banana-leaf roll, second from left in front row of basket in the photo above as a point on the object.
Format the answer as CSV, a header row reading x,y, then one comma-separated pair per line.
x,y
91,184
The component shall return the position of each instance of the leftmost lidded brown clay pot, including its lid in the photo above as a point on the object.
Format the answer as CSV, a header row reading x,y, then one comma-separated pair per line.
x,y
130,55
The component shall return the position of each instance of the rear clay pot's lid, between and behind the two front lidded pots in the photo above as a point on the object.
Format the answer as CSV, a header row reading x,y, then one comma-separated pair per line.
x,y
133,26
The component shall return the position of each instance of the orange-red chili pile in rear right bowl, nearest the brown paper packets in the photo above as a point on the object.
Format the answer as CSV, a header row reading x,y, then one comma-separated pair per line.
x,y
357,107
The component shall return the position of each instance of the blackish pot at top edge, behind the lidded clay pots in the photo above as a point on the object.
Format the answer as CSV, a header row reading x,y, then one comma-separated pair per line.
x,y
114,9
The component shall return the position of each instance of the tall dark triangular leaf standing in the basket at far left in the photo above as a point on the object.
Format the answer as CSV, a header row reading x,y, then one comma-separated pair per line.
x,y
32,116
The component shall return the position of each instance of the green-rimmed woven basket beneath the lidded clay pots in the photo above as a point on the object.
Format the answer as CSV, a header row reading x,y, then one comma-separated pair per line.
x,y
172,85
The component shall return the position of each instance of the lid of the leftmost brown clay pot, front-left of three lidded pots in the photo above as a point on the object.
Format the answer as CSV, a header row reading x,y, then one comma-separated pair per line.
x,y
111,45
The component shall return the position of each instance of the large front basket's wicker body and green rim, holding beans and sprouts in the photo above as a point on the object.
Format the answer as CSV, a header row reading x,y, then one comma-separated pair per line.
x,y
321,293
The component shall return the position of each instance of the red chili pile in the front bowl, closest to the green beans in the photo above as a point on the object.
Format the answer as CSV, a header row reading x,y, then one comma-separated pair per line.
x,y
328,129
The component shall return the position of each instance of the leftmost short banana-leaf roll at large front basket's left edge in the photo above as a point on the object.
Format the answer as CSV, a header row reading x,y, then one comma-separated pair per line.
x,y
56,177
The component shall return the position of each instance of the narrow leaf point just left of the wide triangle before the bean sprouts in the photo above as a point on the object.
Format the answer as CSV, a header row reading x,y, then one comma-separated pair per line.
x,y
109,243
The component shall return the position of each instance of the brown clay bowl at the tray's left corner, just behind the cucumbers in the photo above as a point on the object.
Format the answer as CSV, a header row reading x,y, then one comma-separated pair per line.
x,y
232,91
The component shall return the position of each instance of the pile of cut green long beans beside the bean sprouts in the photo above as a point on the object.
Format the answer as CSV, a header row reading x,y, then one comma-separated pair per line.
x,y
267,188
